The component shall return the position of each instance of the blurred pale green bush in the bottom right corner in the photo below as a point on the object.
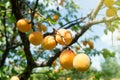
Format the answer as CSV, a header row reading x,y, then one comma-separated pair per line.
x,y
110,68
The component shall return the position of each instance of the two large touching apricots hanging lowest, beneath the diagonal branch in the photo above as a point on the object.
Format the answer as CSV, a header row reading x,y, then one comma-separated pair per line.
x,y
68,59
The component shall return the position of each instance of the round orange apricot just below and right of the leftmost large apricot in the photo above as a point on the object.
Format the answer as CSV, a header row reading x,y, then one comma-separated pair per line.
x,y
36,38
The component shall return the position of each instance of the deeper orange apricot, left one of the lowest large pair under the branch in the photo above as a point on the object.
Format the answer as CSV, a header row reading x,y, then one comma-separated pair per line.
x,y
66,59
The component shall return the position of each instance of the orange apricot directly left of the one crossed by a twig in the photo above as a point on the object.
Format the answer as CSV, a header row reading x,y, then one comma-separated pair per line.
x,y
49,42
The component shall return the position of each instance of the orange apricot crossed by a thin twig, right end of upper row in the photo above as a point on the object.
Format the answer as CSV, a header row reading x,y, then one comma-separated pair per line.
x,y
63,37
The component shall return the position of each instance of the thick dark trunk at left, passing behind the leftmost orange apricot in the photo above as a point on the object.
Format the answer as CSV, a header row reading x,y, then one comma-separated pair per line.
x,y
30,62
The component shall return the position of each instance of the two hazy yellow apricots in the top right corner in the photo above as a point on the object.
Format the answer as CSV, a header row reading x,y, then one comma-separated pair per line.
x,y
111,10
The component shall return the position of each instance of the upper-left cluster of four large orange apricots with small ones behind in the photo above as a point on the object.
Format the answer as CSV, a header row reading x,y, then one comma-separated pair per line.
x,y
61,36
